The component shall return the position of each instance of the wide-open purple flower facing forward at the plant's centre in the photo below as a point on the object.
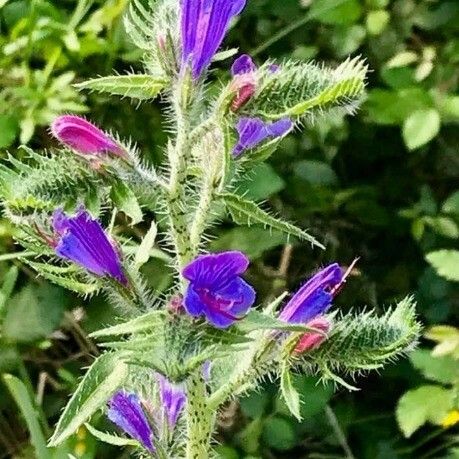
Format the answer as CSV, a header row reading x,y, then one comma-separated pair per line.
x,y
216,289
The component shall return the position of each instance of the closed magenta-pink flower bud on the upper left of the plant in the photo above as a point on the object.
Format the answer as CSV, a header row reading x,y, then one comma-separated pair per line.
x,y
83,136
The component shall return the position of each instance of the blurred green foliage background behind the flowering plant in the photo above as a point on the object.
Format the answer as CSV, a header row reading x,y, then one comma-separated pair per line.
x,y
382,185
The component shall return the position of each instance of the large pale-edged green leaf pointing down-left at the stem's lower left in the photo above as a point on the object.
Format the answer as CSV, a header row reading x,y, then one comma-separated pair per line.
x,y
104,377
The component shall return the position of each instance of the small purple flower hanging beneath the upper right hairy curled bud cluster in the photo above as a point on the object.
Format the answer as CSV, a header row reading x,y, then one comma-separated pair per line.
x,y
253,131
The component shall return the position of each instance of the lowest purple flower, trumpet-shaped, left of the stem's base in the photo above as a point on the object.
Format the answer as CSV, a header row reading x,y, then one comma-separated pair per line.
x,y
126,412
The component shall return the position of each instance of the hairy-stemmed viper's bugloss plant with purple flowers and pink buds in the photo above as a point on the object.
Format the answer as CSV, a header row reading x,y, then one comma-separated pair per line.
x,y
174,359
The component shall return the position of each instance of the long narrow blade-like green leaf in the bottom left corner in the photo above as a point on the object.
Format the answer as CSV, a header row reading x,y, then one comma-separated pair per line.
x,y
29,412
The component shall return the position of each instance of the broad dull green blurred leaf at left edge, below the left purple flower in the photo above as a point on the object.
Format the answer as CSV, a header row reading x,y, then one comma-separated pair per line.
x,y
34,312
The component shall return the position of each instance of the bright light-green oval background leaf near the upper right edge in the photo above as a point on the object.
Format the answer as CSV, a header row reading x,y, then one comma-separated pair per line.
x,y
420,128
